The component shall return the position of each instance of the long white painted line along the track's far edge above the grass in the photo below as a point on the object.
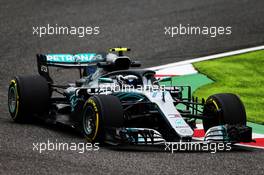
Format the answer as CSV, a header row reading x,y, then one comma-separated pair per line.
x,y
208,57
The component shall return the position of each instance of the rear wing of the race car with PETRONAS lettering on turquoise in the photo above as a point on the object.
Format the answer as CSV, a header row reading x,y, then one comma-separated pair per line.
x,y
78,61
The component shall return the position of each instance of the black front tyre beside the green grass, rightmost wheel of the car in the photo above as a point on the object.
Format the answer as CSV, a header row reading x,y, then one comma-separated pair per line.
x,y
223,109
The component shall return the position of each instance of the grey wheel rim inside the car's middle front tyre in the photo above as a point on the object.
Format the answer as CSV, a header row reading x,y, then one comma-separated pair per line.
x,y
89,121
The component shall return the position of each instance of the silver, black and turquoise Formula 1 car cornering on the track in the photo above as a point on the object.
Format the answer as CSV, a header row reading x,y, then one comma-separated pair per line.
x,y
113,103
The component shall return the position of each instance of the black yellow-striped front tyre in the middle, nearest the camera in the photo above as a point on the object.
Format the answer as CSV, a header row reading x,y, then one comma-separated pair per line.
x,y
101,113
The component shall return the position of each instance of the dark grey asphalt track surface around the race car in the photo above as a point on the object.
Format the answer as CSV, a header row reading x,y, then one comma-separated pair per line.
x,y
139,25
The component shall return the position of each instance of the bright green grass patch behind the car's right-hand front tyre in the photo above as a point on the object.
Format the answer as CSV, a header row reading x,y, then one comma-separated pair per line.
x,y
240,74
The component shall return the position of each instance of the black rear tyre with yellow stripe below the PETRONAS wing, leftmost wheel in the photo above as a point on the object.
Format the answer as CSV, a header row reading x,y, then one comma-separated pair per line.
x,y
27,95
